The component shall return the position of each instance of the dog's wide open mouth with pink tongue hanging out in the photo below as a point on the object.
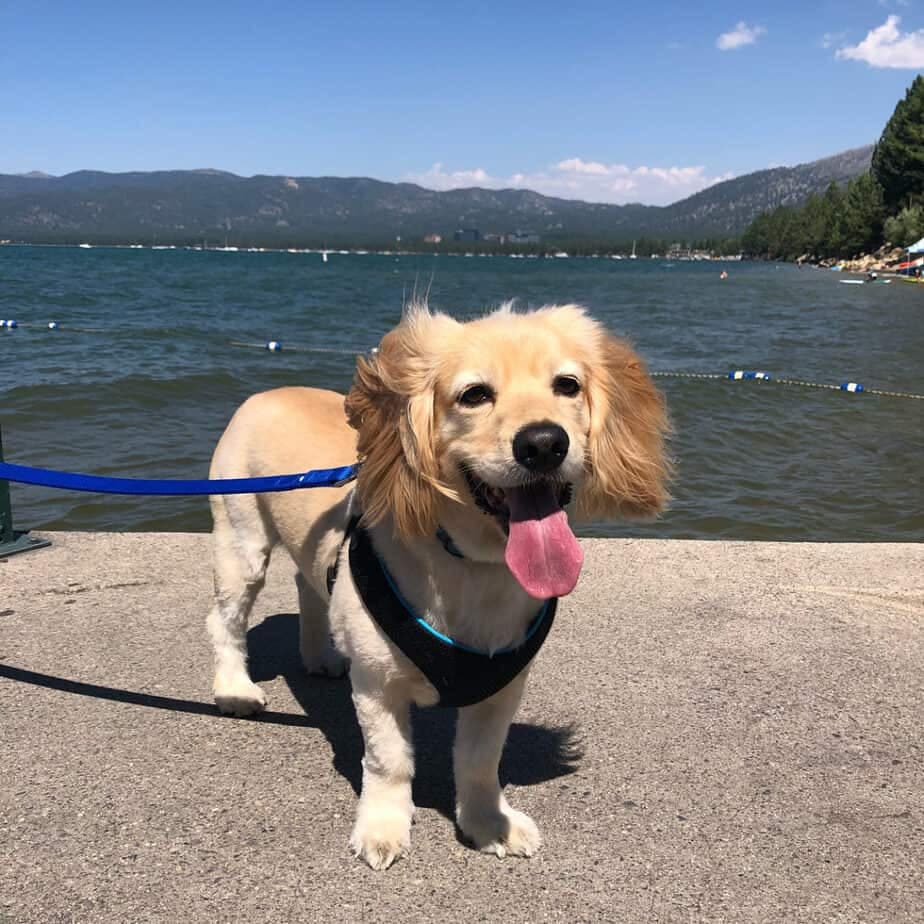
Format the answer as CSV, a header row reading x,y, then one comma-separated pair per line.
x,y
542,552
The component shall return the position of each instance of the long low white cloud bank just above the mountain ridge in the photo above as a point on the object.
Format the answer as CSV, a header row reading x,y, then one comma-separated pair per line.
x,y
575,178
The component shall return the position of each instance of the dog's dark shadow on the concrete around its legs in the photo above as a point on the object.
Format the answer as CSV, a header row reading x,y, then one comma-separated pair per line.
x,y
533,754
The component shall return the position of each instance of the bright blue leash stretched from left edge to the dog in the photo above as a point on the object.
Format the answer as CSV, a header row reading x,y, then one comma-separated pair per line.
x,y
101,484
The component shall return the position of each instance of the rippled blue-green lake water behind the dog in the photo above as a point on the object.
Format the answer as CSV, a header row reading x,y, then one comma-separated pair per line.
x,y
145,389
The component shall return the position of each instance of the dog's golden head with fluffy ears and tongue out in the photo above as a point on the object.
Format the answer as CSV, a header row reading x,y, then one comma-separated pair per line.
x,y
512,416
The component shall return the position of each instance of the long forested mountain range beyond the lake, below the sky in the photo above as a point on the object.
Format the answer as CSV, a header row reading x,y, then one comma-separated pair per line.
x,y
195,205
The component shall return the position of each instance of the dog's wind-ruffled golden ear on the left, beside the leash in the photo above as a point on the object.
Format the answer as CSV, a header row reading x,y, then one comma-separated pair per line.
x,y
391,406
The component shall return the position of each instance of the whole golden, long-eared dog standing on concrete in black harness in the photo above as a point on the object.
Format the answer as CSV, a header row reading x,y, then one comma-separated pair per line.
x,y
472,439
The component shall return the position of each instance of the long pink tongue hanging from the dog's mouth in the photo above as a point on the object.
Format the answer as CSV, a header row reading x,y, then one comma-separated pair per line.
x,y
541,551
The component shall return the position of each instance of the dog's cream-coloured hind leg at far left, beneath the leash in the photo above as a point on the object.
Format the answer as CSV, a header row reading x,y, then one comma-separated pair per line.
x,y
242,550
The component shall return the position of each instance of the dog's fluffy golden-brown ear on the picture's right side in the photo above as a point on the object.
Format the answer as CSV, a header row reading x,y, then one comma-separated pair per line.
x,y
628,470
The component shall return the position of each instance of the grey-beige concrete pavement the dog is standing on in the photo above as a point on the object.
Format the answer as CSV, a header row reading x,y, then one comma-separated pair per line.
x,y
714,732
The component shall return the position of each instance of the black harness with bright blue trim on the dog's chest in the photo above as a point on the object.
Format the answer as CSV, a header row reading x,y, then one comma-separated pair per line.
x,y
461,675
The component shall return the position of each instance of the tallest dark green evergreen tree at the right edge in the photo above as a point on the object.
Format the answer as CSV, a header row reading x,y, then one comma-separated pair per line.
x,y
898,159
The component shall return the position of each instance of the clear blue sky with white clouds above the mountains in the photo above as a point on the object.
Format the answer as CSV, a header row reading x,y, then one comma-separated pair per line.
x,y
604,101
